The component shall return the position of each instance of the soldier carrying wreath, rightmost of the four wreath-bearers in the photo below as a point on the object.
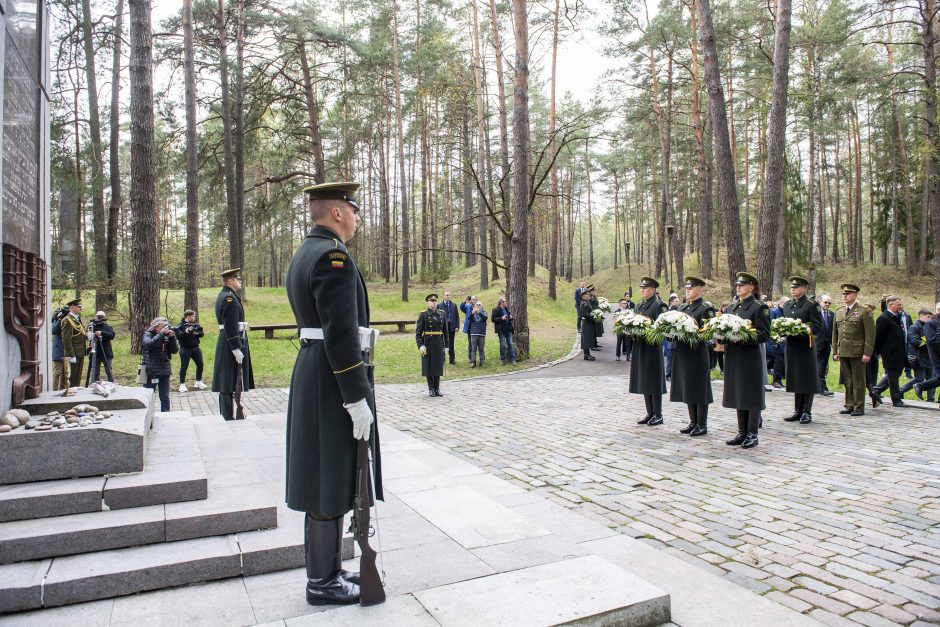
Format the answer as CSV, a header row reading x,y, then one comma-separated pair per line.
x,y
801,368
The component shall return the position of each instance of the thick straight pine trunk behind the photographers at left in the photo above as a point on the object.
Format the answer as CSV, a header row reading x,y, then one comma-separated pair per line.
x,y
145,283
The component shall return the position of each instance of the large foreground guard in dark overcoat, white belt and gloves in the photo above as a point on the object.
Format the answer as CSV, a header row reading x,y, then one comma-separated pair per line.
x,y
331,403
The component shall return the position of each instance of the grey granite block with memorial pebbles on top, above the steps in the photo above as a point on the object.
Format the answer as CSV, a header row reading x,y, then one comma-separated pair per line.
x,y
117,445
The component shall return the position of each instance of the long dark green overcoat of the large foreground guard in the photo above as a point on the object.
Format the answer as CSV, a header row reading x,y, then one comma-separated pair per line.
x,y
326,291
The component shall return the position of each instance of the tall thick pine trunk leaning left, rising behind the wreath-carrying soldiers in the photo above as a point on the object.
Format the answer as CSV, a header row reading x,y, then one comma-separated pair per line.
x,y
728,193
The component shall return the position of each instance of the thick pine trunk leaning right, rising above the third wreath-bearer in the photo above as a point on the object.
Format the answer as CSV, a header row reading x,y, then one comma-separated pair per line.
x,y
770,225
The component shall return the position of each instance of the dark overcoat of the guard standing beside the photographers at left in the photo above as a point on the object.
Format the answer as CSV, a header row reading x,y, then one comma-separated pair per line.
x,y
228,313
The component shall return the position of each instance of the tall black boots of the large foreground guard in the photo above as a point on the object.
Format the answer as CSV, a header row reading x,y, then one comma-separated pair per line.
x,y
326,582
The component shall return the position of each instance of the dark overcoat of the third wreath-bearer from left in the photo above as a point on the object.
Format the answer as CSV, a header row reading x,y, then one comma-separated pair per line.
x,y
745,374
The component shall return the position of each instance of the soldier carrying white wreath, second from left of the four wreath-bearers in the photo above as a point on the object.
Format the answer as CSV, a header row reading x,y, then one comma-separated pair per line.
x,y
691,366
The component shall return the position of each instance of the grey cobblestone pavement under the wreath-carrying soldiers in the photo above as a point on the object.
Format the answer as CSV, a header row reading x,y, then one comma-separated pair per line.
x,y
837,519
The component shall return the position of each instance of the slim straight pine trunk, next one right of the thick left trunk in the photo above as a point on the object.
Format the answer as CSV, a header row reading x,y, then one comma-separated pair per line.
x,y
191,292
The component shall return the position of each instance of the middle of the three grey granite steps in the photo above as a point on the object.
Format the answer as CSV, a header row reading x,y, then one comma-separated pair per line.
x,y
225,511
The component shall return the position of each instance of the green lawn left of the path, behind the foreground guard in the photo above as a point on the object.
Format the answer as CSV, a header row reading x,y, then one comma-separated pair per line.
x,y
552,329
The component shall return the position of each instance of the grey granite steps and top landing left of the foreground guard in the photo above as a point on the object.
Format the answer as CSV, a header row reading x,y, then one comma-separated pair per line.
x,y
198,511
